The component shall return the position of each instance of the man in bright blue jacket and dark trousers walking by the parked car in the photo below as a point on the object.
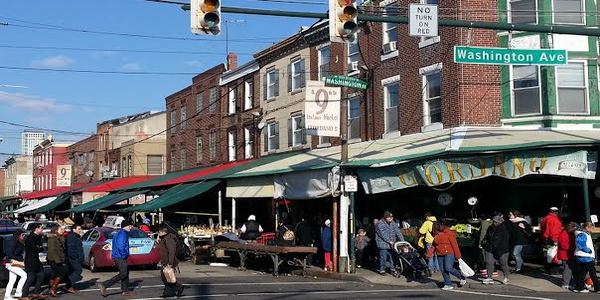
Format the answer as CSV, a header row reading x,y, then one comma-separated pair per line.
x,y
120,253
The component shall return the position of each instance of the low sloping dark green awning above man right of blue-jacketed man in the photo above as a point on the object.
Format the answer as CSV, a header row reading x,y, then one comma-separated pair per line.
x,y
175,195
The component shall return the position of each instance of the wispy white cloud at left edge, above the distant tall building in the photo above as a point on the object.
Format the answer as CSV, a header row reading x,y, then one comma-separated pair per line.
x,y
32,103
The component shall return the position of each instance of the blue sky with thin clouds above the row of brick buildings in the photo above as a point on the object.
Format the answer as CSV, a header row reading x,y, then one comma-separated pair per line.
x,y
76,102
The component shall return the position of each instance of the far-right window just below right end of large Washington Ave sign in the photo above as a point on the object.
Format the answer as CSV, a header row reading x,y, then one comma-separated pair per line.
x,y
572,90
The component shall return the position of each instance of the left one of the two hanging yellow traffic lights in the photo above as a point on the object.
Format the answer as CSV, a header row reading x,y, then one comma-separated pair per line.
x,y
206,16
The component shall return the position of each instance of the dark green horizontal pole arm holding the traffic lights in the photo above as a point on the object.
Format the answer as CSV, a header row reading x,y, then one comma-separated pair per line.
x,y
574,30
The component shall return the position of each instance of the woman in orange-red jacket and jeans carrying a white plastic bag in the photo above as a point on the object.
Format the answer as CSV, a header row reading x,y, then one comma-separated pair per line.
x,y
446,248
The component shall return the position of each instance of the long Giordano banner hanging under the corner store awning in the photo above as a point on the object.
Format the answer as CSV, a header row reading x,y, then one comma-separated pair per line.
x,y
511,165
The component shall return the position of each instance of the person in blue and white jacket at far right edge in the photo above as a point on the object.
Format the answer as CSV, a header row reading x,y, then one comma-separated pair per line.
x,y
584,258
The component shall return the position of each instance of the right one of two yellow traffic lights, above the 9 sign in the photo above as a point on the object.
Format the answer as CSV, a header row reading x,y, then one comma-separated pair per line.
x,y
343,22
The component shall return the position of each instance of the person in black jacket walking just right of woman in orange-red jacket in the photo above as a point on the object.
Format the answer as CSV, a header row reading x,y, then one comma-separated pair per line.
x,y
496,245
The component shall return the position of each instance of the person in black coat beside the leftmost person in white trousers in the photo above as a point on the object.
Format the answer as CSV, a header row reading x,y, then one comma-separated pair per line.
x,y
33,266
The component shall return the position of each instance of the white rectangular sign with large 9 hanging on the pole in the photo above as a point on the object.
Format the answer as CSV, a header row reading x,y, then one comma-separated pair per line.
x,y
322,111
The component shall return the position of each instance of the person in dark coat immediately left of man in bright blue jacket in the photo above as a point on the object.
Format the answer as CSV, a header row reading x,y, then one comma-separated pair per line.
x,y
74,253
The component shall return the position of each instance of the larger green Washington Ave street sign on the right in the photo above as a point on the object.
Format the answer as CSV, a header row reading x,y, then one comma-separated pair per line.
x,y
503,56
